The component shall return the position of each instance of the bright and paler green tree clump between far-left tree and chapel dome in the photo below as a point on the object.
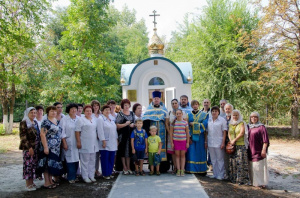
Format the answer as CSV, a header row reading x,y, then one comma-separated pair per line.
x,y
80,55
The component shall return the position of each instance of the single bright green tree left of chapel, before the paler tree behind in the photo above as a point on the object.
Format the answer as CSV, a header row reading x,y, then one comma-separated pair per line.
x,y
78,54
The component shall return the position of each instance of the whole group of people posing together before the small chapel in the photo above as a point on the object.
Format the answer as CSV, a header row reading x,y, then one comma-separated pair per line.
x,y
75,144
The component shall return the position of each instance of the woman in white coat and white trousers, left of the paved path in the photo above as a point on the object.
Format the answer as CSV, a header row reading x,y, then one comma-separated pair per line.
x,y
87,143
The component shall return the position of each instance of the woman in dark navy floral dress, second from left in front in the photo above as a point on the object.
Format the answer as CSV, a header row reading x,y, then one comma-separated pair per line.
x,y
49,161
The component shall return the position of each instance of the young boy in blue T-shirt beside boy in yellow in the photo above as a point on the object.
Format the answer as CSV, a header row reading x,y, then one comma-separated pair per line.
x,y
139,146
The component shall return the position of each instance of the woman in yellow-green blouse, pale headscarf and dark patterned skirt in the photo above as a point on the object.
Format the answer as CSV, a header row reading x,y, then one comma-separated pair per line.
x,y
238,136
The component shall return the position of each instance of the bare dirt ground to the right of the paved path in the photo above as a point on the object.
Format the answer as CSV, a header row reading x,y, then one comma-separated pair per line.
x,y
284,167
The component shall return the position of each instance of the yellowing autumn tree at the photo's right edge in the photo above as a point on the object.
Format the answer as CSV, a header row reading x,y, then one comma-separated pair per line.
x,y
279,33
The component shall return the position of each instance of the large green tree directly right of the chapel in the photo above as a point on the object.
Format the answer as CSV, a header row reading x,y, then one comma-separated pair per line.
x,y
212,43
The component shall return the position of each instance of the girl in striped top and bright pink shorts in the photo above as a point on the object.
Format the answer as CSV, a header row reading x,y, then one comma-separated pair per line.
x,y
178,134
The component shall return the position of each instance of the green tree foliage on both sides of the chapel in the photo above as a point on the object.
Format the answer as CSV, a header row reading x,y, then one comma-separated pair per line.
x,y
75,54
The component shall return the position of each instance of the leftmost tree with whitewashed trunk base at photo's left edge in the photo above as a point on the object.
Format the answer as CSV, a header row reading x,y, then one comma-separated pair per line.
x,y
21,21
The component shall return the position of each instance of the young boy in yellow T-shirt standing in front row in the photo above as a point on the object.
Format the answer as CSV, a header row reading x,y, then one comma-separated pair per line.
x,y
154,145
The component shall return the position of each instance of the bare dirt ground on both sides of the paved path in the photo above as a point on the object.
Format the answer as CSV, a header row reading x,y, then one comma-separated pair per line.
x,y
283,163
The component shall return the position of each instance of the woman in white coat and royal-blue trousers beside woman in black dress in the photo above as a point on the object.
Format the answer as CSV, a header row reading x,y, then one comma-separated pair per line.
x,y
108,142
